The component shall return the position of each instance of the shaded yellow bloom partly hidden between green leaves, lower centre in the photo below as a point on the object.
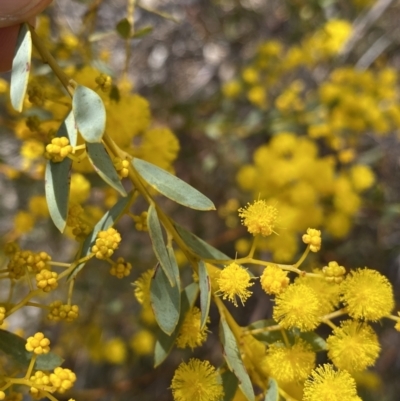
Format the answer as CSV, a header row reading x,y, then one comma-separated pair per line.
x,y
190,334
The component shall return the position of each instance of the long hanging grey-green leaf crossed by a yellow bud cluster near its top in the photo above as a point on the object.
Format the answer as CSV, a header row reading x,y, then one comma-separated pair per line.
x,y
57,177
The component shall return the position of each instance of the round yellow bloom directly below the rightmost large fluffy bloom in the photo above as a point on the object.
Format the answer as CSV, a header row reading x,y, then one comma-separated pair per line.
x,y
353,346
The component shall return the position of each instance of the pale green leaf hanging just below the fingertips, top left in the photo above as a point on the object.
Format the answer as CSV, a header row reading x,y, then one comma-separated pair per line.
x,y
21,66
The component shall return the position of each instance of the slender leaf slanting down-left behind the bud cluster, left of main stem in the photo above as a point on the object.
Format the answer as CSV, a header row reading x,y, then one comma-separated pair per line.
x,y
107,221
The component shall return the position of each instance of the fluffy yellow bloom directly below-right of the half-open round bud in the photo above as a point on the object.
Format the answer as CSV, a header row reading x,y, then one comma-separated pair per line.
x,y
299,307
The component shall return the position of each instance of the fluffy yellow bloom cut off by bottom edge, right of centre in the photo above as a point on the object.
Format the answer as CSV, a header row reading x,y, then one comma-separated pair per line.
x,y
329,385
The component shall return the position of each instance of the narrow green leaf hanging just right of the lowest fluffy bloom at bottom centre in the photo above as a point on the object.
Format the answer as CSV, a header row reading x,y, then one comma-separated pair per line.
x,y
234,361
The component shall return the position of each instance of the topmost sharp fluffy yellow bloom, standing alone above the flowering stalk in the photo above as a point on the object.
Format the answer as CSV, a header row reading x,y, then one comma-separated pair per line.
x,y
259,218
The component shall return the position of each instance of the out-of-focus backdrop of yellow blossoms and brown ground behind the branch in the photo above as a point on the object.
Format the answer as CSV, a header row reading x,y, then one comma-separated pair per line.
x,y
294,101
